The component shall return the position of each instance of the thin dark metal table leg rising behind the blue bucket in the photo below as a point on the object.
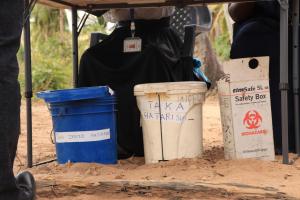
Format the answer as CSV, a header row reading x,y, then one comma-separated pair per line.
x,y
75,46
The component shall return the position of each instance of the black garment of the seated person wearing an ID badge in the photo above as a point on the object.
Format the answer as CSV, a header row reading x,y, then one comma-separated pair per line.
x,y
159,61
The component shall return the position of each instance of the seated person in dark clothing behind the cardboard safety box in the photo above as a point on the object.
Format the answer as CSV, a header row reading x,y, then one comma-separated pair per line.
x,y
256,33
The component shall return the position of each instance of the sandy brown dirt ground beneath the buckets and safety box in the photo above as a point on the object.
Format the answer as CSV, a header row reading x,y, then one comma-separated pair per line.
x,y
209,177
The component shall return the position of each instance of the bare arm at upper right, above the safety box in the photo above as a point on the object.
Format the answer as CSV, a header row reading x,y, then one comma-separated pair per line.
x,y
241,11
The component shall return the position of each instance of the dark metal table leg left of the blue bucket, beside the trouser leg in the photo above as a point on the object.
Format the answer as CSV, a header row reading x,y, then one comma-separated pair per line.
x,y
28,85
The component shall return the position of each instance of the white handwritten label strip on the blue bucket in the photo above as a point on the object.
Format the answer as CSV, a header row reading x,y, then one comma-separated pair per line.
x,y
82,136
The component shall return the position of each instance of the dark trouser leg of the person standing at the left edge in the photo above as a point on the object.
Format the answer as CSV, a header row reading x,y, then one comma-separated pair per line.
x,y
11,14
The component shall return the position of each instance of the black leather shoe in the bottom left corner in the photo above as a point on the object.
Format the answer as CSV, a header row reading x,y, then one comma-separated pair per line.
x,y
26,184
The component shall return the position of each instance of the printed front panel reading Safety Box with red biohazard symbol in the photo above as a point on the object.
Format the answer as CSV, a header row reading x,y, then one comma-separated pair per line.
x,y
252,119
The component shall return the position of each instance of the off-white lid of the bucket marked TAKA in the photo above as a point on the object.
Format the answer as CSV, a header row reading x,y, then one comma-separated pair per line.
x,y
185,87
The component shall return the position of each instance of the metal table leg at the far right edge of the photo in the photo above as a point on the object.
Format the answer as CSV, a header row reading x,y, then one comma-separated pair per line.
x,y
296,72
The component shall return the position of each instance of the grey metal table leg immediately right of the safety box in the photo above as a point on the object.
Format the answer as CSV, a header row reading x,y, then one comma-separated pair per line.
x,y
284,84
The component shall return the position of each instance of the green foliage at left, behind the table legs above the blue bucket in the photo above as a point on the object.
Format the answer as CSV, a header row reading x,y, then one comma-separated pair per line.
x,y
52,50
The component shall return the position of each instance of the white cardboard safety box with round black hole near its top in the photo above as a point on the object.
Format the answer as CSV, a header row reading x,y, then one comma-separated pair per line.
x,y
244,97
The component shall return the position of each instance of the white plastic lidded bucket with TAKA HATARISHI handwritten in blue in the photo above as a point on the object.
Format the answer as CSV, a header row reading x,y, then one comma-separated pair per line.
x,y
171,117
